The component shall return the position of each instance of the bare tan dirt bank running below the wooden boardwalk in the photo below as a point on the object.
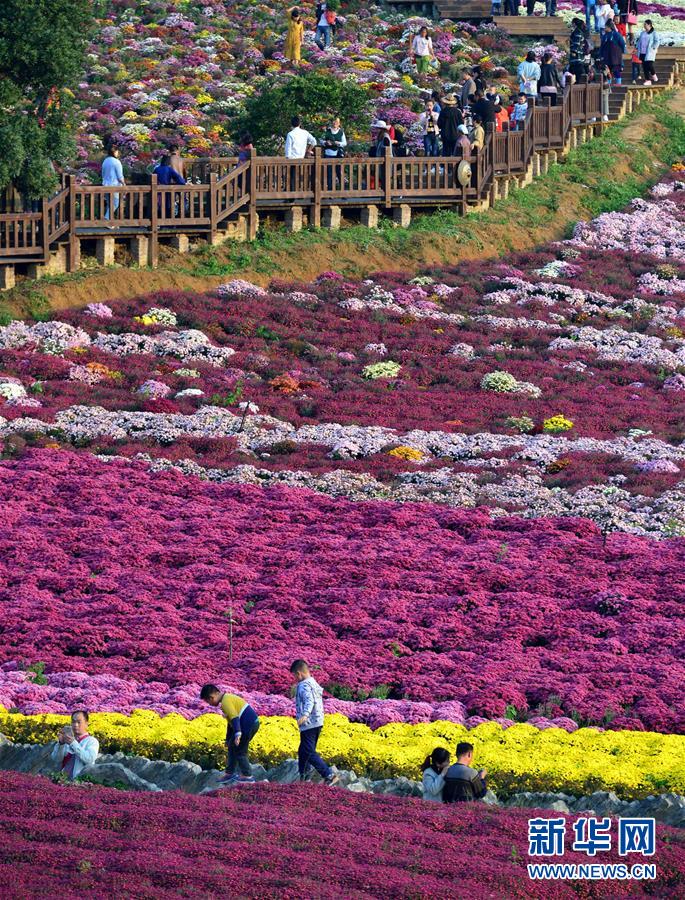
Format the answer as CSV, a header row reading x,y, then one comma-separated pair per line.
x,y
550,207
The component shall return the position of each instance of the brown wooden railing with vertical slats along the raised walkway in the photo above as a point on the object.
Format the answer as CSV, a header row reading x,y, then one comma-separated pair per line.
x,y
219,188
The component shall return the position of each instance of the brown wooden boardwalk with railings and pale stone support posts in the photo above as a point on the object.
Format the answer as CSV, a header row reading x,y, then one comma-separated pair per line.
x,y
224,199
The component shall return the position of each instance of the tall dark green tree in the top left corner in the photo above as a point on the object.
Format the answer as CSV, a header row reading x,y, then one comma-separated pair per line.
x,y
42,47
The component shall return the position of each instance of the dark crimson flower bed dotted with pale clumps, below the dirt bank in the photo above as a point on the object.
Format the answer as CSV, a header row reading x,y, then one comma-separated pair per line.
x,y
304,363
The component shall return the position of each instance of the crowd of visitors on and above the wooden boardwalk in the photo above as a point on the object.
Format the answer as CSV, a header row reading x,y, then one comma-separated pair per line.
x,y
454,124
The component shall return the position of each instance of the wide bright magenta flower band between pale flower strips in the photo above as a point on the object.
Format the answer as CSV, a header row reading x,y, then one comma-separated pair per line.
x,y
108,569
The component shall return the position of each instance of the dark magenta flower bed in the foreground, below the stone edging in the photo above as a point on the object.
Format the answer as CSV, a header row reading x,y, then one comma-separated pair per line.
x,y
279,841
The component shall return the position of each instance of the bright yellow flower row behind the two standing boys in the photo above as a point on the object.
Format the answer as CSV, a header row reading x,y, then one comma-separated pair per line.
x,y
521,758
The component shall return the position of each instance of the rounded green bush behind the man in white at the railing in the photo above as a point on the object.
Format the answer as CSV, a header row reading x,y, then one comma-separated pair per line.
x,y
316,97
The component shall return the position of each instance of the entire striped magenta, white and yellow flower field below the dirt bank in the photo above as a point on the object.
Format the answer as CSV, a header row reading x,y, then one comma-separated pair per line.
x,y
460,495
